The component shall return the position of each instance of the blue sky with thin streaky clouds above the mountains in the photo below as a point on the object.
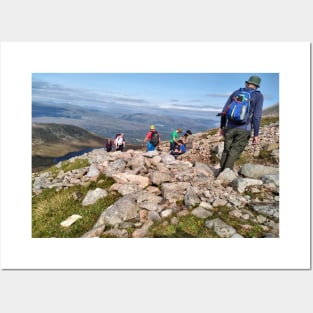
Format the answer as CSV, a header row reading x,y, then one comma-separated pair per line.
x,y
203,92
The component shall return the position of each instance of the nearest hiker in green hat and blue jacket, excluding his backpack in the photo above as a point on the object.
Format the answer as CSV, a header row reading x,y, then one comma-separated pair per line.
x,y
236,136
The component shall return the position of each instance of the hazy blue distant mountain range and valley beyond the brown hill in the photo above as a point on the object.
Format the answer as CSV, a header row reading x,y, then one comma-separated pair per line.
x,y
134,125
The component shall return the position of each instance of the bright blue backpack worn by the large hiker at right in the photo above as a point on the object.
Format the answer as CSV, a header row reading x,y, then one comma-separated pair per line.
x,y
238,111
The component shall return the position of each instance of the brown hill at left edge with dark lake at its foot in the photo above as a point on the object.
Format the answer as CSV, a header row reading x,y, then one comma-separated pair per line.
x,y
54,140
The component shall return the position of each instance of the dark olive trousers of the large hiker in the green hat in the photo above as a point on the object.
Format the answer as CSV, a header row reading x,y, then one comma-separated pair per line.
x,y
235,142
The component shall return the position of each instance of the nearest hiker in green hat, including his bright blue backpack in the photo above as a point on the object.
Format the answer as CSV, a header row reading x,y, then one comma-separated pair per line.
x,y
237,130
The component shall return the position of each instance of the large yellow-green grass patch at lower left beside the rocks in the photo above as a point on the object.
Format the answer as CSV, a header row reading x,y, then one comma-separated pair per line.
x,y
50,208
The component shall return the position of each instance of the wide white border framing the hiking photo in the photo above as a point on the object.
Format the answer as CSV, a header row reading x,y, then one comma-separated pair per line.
x,y
20,251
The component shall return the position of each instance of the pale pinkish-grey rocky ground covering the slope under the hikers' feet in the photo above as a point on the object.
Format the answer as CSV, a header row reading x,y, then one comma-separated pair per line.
x,y
155,188
